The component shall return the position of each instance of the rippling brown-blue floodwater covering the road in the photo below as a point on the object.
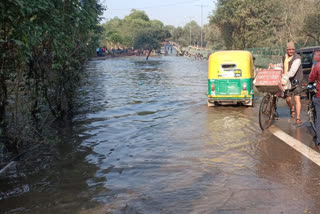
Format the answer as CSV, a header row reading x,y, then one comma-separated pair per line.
x,y
144,141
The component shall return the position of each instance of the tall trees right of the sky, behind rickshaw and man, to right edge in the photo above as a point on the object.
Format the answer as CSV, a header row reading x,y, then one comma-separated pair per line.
x,y
253,23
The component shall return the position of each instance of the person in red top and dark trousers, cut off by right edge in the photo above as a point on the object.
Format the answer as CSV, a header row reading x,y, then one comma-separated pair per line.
x,y
315,77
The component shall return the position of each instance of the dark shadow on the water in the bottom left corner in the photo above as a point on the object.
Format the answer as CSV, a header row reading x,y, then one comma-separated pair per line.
x,y
50,177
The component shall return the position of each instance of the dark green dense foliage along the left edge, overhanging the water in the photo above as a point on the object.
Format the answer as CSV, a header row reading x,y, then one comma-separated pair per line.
x,y
43,45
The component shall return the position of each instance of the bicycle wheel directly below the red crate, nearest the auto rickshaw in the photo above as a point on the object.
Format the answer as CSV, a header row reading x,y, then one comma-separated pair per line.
x,y
266,112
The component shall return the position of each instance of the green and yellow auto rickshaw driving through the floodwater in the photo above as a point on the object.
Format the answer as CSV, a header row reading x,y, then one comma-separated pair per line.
x,y
230,77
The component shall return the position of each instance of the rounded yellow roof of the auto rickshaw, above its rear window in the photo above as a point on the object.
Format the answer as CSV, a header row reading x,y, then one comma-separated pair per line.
x,y
232,55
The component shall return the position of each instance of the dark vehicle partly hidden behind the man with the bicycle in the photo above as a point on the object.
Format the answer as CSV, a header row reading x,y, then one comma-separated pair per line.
x,y
307,57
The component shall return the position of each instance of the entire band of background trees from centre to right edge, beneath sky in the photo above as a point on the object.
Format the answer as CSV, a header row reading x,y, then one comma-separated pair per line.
x,y
235,24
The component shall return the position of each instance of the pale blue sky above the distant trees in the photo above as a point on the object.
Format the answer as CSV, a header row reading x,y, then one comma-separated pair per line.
x,y
170,12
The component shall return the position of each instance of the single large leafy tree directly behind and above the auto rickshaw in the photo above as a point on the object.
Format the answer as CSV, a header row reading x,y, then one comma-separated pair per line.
x,y
245,24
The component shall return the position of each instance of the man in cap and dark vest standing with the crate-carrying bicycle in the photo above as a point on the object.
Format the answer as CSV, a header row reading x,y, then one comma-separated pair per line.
x,y
292,70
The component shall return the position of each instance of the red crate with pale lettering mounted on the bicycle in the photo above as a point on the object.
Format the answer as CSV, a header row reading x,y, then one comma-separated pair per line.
x,y
268,80
